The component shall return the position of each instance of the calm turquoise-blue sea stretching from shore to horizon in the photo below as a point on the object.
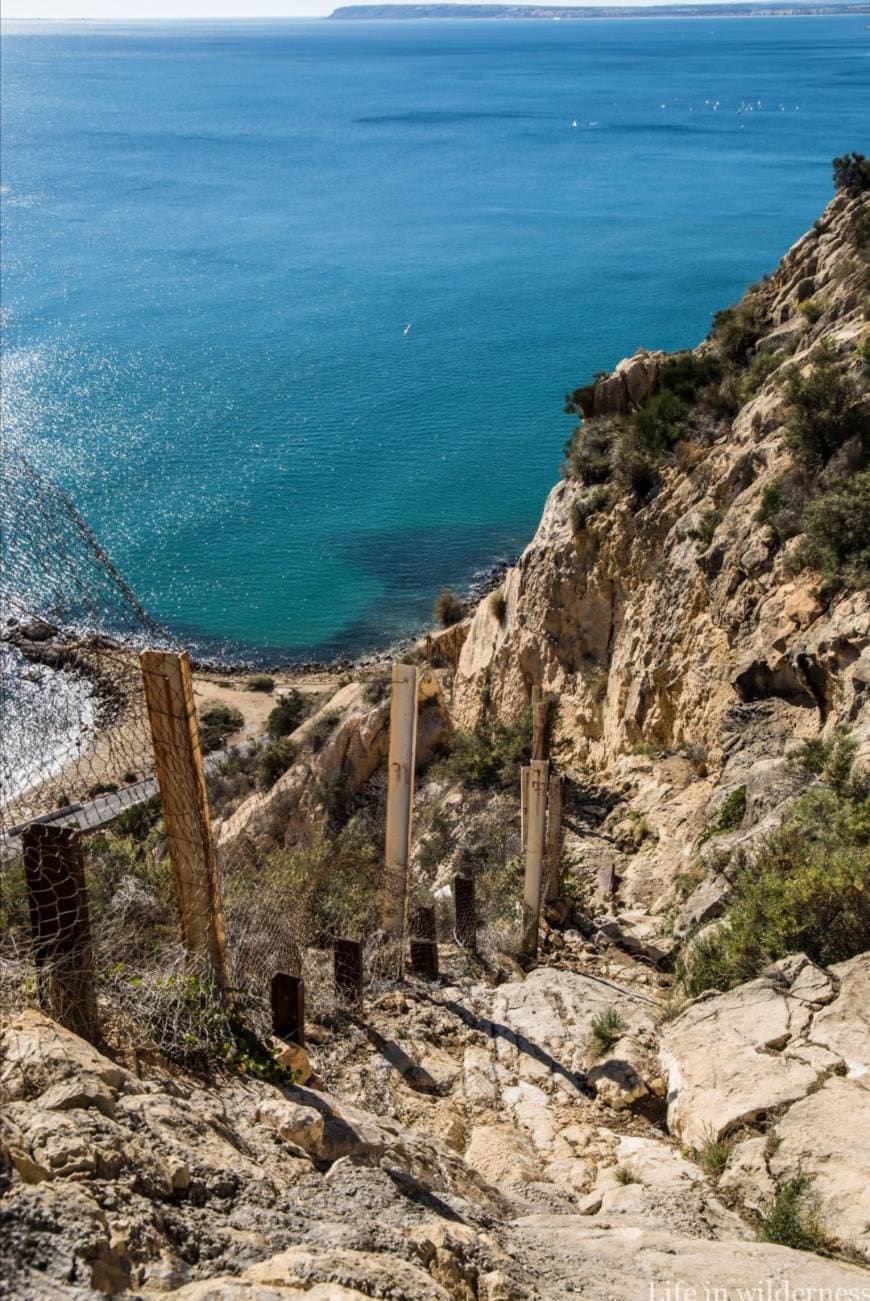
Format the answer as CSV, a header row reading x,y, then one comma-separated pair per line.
x,y
218,236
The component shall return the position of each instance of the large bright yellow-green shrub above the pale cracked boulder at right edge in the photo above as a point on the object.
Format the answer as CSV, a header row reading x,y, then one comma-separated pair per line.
x,y
807,889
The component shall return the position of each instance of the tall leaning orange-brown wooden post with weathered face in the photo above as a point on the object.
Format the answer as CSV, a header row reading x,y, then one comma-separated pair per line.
x,y
179,763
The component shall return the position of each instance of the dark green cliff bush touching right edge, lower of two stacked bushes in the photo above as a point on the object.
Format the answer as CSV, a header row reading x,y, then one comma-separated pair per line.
x,y
837,534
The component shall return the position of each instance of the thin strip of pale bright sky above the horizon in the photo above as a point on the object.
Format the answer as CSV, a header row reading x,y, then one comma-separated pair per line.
x,y
207,8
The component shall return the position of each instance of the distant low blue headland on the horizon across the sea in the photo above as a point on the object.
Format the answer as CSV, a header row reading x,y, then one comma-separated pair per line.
x,y
539,11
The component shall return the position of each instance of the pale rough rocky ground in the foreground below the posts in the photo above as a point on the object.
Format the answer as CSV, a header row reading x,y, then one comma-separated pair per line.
x,y
461,1139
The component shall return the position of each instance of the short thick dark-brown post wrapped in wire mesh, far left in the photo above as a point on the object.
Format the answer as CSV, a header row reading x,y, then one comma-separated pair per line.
x,y
60,927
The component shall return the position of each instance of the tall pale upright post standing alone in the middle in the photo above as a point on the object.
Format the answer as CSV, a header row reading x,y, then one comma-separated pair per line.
x,y
400,798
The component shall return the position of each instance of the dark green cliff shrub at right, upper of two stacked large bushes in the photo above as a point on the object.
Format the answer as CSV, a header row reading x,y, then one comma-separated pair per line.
x,y
824,412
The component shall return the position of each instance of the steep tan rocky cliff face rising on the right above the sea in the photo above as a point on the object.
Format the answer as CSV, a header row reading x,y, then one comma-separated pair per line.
x,y
687,659
